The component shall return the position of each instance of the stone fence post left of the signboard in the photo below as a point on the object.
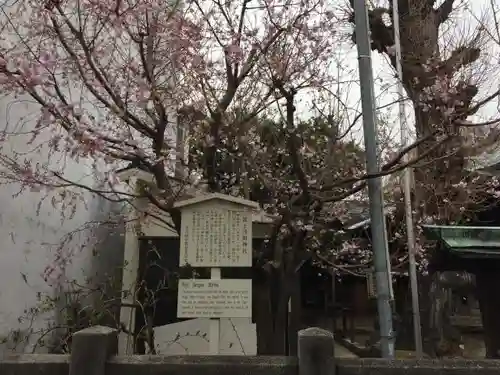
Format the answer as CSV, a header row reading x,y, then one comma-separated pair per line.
x,y
91,348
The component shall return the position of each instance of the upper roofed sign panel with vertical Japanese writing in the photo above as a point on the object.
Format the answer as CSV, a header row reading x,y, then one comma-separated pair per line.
x,y
216,236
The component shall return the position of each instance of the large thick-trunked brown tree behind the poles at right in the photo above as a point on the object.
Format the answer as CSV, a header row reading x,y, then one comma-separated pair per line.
x,y
445,75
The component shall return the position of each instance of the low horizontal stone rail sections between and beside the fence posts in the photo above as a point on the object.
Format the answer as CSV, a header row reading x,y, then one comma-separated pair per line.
x,y
220,365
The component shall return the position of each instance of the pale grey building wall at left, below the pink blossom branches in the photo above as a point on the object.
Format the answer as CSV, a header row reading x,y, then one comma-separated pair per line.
x,y
45,251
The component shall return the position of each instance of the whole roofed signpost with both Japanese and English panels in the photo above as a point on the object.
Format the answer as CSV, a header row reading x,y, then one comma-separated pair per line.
x,y
216,231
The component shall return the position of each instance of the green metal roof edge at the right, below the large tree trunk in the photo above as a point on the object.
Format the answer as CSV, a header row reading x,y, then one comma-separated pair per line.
x,y
470,242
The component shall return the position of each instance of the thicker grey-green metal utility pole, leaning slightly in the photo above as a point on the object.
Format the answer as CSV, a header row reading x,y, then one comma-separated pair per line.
x,y
379,238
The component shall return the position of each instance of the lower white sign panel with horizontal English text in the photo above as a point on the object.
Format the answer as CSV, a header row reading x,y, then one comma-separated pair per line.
x,y
226,298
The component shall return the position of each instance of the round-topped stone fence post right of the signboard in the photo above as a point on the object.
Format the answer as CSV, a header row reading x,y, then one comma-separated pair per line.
x,y
316,352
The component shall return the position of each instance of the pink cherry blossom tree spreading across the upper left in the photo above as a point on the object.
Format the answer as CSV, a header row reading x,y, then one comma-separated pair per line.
x,y
108,79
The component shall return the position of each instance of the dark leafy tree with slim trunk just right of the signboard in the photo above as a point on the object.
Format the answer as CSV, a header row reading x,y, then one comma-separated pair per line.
x,y
300,172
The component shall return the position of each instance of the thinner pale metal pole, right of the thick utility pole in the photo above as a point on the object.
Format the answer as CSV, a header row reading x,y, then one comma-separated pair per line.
x,y
406,182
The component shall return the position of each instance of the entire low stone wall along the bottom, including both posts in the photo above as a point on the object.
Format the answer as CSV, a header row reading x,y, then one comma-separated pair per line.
x,y
93,353
